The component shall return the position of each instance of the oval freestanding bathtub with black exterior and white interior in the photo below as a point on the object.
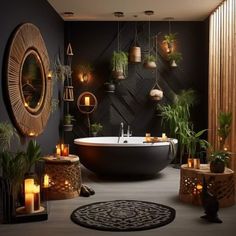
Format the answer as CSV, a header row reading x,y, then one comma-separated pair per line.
x,y
130,157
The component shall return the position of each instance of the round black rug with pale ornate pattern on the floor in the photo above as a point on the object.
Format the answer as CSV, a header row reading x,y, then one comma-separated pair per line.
x,y
123,215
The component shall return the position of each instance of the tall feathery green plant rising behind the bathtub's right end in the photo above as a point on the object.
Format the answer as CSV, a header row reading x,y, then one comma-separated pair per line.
x,y
176,117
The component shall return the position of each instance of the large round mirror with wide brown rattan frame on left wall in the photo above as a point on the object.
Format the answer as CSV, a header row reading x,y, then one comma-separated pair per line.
x,y
29,89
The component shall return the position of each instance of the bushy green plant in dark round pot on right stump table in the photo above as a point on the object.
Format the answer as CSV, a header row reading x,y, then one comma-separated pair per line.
x,y
218,161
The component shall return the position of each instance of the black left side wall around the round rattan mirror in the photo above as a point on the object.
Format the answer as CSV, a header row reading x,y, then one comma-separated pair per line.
x,y
40,13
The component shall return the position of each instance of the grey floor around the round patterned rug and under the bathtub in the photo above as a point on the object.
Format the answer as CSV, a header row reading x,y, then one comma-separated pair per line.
x,y
163,189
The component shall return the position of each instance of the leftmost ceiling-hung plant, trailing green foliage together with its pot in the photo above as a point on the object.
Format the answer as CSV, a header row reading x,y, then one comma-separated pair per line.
x,y
119,65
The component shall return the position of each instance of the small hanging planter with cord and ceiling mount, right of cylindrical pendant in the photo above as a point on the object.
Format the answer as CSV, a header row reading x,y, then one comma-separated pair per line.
x,y
150,60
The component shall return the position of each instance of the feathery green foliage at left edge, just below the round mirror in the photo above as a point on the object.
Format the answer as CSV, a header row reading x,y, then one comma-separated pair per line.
x,y
7,131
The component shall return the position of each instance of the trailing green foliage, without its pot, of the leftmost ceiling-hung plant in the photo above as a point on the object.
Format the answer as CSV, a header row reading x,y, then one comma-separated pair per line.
x,y
120,61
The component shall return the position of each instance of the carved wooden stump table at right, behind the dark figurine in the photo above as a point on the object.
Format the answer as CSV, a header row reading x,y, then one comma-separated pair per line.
x,y
220,185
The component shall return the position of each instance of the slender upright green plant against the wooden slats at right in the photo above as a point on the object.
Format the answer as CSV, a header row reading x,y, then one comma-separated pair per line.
x,y
225,120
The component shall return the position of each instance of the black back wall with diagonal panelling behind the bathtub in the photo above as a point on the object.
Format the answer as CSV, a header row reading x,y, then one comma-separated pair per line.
x,y
94,42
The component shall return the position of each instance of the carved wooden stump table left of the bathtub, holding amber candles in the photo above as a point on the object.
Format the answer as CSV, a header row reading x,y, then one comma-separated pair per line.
x,y
64,177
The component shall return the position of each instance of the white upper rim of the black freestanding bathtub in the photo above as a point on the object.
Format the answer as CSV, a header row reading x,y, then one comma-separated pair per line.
x,y
83,142
